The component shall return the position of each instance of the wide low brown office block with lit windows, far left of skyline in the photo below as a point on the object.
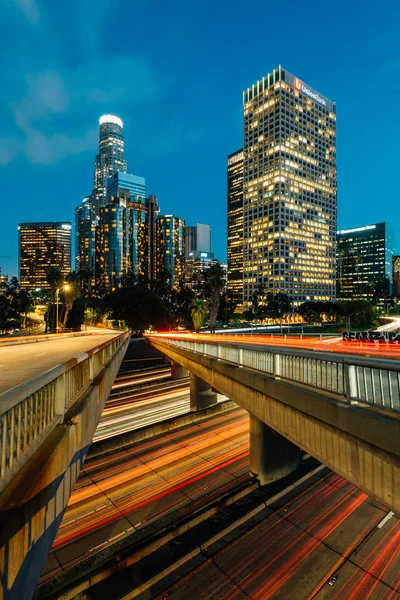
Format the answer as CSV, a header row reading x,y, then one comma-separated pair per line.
x,y
41,246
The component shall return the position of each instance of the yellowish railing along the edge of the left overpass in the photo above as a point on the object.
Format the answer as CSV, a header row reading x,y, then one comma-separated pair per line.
x,y
31,410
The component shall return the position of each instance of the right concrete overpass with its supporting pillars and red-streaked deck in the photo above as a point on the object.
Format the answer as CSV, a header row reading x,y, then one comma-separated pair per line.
x,y
341,408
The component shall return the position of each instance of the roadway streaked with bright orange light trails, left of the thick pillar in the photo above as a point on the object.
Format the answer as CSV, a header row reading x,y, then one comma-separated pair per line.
x,y
127,490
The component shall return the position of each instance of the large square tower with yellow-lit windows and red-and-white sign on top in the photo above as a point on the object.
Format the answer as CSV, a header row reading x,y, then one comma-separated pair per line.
x,y
289,195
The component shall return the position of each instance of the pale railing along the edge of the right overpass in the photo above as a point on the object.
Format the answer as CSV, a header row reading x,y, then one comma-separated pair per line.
x,y
353,379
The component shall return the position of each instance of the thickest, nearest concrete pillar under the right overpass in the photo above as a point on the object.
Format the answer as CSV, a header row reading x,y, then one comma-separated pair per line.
x,y
272,456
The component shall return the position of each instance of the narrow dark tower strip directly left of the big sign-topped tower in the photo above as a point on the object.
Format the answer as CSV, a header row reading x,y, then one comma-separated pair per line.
x,y
235,226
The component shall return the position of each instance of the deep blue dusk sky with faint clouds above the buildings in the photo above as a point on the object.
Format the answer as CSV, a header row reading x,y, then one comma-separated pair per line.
x,y
175,71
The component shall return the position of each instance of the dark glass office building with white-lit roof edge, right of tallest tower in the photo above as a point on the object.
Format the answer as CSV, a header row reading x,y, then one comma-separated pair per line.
x,y
365,262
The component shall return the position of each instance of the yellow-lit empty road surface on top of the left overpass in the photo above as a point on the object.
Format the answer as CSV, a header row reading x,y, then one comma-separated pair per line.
x,y
22,362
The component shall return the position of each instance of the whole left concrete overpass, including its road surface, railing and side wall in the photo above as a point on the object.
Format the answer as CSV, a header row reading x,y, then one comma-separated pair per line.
x,y
52,394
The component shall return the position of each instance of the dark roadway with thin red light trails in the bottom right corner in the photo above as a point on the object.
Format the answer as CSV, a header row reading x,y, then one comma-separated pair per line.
x,y
332,529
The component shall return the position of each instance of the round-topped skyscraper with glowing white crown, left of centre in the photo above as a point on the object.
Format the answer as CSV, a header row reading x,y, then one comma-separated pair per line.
x,y
109,159
